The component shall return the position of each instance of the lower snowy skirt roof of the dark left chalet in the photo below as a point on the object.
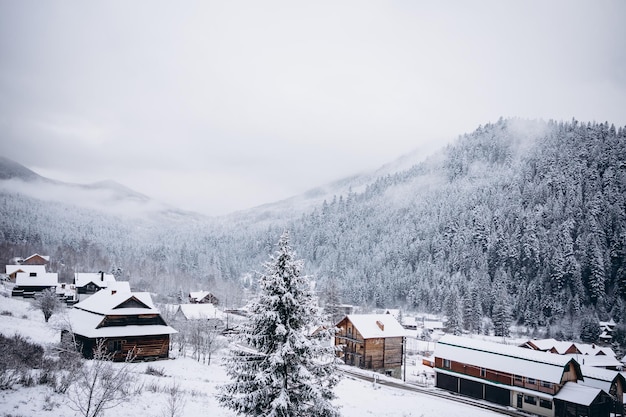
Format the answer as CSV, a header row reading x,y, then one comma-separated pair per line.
x,y
86,324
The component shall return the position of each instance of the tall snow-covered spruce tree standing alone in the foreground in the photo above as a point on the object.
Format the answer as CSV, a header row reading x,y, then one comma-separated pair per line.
x,y
282,371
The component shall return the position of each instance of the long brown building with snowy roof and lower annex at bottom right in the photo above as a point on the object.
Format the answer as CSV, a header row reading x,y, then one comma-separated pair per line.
x,y
536,382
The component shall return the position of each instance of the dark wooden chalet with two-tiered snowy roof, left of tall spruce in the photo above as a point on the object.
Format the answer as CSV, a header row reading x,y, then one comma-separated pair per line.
x,y
126,321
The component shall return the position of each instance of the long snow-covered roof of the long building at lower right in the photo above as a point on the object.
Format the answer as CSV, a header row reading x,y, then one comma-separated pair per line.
x,y
505,358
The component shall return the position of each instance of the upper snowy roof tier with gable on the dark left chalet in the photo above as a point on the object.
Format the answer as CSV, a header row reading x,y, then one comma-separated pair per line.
x,y
108,301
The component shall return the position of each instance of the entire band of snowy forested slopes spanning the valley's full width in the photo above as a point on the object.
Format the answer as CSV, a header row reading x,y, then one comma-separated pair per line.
x,y
524,219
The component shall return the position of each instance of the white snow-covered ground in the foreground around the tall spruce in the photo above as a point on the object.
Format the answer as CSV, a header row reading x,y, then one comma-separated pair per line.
x,y
356,398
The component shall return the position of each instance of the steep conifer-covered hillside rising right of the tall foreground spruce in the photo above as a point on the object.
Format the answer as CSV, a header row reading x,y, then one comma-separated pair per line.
x,y
526,217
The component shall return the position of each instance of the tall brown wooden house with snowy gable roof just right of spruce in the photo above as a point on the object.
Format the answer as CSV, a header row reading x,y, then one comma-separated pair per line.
x,y
372,341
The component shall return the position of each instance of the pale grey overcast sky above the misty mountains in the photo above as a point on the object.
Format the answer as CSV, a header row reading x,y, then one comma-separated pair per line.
x,y
220,106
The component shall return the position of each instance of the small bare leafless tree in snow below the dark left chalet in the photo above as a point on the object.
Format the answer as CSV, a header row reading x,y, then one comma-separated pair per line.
x,y
100,384
